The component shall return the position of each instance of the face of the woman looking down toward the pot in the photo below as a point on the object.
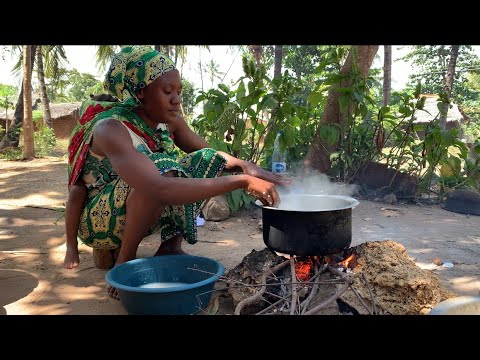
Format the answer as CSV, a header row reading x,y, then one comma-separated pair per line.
x,y
161,99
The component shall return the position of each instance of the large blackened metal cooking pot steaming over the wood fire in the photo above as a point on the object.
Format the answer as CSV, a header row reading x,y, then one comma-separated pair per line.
x,y
309,224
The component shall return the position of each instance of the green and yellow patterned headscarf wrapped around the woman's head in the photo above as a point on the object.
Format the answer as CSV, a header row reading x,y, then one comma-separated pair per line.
x,y
133,68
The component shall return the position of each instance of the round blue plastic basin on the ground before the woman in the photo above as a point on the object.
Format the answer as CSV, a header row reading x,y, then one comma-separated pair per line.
x,y
178,287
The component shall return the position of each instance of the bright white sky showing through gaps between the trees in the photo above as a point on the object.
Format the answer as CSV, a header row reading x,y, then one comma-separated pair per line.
x,y
229,60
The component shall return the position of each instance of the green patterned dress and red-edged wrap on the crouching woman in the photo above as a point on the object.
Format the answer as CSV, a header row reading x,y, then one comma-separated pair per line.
x,y
103,219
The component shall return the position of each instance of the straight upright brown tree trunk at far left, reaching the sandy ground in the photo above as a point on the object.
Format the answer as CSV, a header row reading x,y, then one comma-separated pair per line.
x,y
28,147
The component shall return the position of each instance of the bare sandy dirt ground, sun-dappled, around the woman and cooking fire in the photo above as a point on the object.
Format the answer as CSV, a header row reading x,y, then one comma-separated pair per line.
x,y
32,243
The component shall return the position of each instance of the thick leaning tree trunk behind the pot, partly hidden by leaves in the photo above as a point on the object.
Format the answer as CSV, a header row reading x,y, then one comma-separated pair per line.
x,y
318,156
